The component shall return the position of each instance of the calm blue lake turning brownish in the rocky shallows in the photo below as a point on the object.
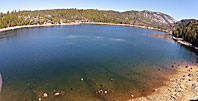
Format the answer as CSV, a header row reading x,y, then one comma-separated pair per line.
x,y
85,62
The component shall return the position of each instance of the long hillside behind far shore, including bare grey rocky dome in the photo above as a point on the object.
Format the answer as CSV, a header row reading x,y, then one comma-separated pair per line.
x,y
141,18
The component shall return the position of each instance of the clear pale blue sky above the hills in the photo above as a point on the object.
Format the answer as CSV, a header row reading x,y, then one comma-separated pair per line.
x,y
179,9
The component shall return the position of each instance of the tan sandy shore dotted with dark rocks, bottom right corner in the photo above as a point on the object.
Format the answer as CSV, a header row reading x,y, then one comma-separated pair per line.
x,y
182,86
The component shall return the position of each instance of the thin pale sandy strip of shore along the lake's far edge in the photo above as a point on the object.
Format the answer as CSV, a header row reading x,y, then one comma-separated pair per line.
x,y
77,23
